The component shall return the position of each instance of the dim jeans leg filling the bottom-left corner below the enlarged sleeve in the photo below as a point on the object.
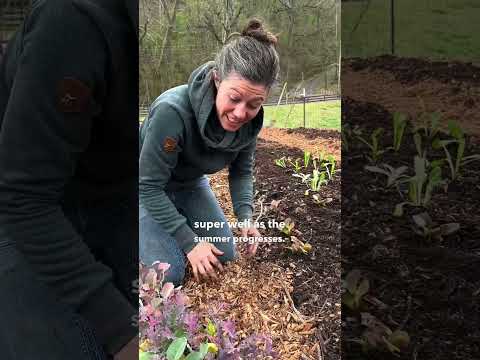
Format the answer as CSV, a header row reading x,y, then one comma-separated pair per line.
x,y
34,324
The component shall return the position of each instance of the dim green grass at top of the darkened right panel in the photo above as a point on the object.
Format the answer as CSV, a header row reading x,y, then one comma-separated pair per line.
x,y
439,29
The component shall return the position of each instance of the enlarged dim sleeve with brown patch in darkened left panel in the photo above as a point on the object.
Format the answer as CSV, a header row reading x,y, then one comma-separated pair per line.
x,y
43,134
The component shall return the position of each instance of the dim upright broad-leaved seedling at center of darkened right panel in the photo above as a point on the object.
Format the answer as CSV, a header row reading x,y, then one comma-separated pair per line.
x,y
421,185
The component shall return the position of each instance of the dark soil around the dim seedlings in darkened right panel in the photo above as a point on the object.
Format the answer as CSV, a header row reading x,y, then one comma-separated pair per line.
x,y
428,288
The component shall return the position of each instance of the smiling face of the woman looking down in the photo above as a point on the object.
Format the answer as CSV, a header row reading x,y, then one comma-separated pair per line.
x,y
238,101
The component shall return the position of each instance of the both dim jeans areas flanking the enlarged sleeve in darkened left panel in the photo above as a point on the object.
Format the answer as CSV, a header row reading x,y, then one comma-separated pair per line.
x,y
34,324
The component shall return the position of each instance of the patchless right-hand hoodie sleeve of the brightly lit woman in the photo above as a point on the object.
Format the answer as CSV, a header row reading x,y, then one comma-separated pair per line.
x,y
240,179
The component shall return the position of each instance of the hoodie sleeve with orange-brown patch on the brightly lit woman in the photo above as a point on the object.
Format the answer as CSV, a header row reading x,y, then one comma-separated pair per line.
x,y
162,144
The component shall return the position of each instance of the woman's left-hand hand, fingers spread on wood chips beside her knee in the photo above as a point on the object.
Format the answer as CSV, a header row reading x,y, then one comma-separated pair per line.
x,y
203,259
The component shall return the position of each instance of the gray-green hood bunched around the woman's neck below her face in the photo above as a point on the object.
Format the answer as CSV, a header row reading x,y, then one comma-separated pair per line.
x,y
202,93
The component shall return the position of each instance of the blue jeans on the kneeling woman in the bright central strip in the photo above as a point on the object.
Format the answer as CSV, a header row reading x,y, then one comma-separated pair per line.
x,y
195,203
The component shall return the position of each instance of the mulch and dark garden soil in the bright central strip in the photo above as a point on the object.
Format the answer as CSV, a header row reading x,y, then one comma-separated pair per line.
x,y
310,327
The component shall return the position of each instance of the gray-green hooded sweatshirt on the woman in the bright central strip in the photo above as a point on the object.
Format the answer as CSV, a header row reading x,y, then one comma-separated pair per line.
x,y
181,140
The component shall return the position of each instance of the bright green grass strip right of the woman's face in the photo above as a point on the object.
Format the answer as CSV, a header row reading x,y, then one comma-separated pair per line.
x,y
319,115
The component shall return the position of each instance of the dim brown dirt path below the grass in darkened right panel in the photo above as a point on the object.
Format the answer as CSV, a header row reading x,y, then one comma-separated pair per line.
x,y
416,86
